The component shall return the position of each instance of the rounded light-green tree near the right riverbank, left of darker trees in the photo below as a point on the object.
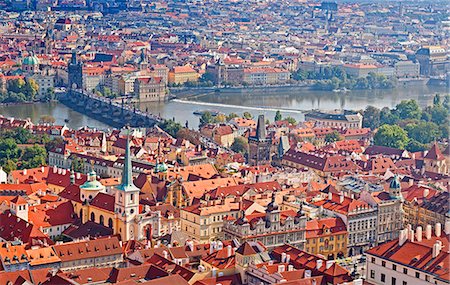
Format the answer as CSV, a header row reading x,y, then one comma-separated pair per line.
x,y
391,136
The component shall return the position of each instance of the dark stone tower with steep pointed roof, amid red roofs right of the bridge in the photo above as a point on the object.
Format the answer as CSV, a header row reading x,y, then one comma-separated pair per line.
x,y
259,145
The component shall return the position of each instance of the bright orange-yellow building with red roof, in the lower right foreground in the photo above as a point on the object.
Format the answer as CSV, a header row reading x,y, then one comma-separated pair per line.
x,y
327,237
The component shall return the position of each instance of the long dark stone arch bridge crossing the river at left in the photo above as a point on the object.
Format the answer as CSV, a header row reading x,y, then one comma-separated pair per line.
x,y
105,110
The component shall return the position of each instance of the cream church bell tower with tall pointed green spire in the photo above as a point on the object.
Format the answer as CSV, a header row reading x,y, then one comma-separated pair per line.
x,y
126,200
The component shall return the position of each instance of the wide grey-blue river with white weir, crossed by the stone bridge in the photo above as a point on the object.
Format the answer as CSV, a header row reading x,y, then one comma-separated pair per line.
x,y
265,101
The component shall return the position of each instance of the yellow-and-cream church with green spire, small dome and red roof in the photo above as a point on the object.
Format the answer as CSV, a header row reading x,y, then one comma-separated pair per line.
x,y
120,211
